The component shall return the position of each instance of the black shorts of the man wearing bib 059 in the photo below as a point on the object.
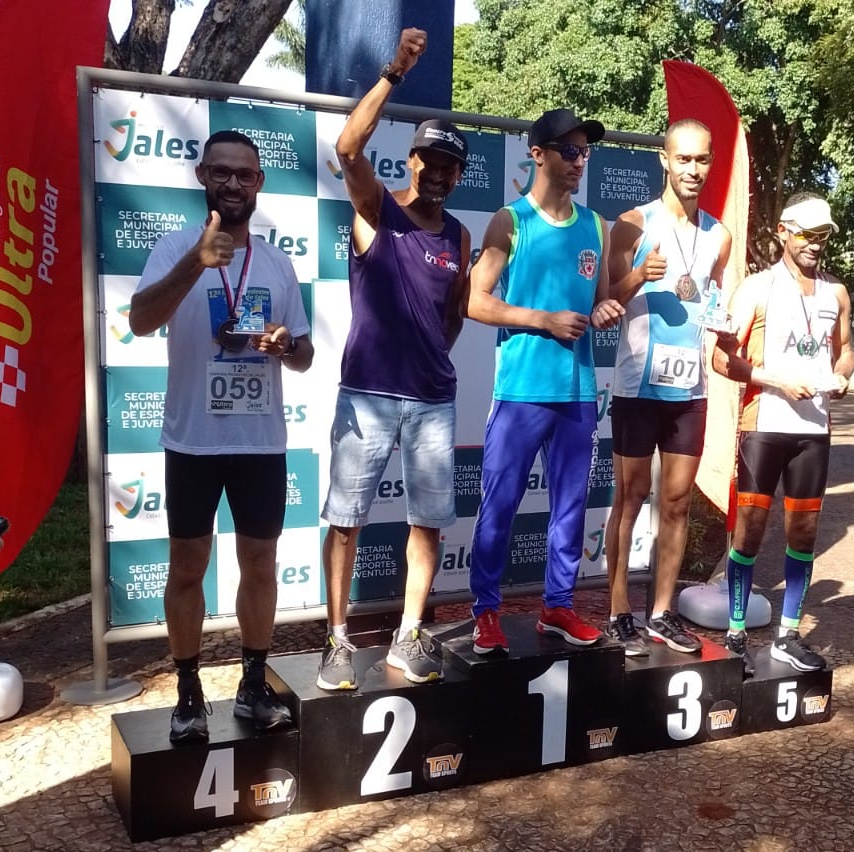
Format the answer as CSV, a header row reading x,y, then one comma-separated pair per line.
x,y
256,487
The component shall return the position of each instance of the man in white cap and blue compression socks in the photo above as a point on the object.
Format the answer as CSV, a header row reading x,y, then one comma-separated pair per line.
x,y
793,351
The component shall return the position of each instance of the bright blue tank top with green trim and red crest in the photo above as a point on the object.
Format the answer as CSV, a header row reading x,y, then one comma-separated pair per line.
x,y
553,266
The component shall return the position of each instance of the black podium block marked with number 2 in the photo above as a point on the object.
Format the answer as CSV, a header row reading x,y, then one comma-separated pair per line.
x,y
390,737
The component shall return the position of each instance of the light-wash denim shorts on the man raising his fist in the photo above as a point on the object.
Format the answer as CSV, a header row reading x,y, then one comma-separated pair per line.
x,y
366,429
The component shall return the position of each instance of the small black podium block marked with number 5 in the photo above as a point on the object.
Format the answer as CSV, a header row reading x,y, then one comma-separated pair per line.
x,y
778,696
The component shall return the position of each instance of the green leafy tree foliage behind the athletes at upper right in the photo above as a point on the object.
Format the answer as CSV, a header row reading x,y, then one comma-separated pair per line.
x,y
787,65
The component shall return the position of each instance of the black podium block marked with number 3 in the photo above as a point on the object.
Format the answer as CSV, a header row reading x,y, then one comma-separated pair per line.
x,y
674,699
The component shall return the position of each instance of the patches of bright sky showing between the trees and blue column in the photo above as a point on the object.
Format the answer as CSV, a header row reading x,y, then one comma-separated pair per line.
x,y
184,21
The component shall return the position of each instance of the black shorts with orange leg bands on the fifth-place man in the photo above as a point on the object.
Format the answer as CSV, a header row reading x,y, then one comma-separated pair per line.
x,y
801,460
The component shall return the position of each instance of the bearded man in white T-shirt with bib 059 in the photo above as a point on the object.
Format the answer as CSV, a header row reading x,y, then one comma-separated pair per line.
x,y
223,422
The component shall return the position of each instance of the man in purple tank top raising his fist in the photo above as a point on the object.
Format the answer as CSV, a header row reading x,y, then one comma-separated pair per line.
x,y
408,262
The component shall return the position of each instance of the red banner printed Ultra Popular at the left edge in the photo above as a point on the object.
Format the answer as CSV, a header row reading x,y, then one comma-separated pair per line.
x,y
41,326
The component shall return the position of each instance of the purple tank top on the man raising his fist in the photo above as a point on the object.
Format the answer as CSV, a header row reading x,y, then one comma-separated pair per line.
x,y
399,292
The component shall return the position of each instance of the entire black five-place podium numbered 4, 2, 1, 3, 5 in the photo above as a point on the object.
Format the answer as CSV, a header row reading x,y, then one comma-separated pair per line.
x,y
545,704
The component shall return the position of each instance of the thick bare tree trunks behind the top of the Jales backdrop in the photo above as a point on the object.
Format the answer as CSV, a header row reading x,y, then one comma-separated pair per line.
x,y
229,36
